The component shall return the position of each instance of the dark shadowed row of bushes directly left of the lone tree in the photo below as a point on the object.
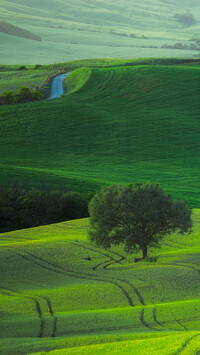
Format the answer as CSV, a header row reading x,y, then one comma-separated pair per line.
x,y
23,208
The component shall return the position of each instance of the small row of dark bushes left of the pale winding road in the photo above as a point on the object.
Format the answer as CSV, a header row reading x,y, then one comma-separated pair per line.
x,y
24,95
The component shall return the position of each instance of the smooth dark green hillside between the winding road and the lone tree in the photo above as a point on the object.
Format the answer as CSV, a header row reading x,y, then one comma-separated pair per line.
x,y
118,125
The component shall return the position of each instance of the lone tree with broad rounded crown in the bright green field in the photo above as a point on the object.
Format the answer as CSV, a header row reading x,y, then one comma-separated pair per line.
x,y
136,216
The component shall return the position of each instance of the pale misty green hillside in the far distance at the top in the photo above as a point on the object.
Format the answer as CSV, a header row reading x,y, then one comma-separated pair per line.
x,y
96,29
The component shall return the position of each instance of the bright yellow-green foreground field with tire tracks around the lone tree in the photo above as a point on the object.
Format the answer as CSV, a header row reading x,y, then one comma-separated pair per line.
x,y
63,295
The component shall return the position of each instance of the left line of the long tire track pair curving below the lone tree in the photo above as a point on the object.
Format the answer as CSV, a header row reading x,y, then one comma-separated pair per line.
x,y
60,270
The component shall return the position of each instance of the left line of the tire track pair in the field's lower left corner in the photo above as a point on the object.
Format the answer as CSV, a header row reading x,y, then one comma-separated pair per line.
x,y
37,304
